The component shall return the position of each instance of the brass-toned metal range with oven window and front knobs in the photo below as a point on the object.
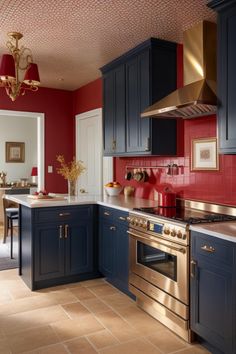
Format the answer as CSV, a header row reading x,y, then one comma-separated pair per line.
x,y
159,262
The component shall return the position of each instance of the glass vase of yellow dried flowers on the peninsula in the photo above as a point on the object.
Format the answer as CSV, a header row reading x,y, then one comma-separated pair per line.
x,y
71,171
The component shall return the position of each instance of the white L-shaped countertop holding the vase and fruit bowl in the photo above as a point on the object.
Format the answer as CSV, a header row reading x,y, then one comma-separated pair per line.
x,y
120,202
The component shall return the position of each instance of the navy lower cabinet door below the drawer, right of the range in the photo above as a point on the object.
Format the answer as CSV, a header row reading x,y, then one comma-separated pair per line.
x,y
211,310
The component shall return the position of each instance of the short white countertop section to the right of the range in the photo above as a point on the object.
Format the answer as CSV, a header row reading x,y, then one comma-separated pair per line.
x,y
222,230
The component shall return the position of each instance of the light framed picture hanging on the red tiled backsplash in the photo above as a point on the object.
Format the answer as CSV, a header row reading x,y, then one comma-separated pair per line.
x,y
204,155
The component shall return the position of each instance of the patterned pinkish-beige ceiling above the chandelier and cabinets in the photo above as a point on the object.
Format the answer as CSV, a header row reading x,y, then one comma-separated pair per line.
x,y
71,39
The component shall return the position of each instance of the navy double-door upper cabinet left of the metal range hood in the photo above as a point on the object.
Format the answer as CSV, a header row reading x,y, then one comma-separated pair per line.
x,y
131,83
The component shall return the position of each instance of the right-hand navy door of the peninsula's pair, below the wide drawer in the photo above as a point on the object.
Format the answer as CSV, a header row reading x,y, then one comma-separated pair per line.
x,y
79,248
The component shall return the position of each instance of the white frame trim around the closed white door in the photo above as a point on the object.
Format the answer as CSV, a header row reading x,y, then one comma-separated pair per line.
x,y
89,114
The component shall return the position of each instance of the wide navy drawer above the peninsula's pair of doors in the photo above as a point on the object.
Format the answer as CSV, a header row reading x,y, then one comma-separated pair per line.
x,y
61,214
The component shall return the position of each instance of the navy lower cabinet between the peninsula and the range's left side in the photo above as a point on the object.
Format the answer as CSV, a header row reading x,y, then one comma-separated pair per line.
x,y
114,247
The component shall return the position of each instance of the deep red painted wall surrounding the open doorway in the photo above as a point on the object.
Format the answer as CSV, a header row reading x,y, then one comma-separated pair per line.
x,y
59,126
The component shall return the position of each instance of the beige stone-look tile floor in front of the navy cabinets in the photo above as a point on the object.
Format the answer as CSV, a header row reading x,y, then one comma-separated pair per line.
x,y
88,318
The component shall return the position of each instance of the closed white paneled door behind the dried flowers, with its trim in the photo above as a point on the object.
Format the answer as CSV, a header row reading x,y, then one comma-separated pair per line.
x,y
89,149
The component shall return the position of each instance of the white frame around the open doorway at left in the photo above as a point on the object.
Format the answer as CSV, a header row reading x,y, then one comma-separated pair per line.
x,y
40,139
